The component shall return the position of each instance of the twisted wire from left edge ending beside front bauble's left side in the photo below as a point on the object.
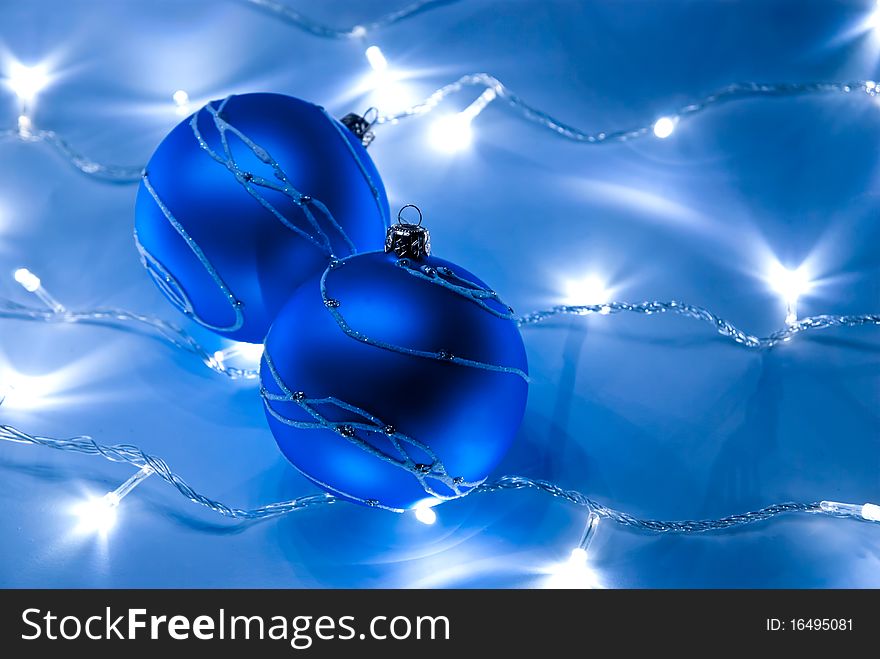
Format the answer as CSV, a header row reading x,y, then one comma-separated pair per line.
x,y
124,319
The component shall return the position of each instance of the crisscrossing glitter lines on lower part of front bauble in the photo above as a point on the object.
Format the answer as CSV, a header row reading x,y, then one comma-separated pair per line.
x,y
399,457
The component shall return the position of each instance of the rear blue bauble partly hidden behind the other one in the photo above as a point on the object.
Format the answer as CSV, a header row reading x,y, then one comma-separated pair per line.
x,y
249,197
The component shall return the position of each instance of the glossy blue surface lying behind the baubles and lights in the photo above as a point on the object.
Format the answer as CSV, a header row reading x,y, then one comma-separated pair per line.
x,y
656,416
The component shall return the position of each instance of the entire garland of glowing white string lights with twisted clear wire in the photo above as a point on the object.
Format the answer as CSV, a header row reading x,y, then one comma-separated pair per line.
x,y
451,132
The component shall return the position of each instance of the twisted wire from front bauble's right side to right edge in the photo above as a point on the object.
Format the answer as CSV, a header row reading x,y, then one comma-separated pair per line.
x,y
722,326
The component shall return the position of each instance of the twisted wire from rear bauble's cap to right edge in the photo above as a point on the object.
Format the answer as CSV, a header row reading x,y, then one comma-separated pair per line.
x,y
732,92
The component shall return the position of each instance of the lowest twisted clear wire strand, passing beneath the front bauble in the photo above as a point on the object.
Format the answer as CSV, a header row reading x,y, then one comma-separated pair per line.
x,y
136,457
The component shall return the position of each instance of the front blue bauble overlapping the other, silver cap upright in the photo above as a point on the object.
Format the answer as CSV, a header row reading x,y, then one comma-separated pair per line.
x,y
405,385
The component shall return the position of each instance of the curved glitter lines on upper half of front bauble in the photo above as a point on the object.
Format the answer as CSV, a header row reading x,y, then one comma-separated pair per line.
x,y
476,295
